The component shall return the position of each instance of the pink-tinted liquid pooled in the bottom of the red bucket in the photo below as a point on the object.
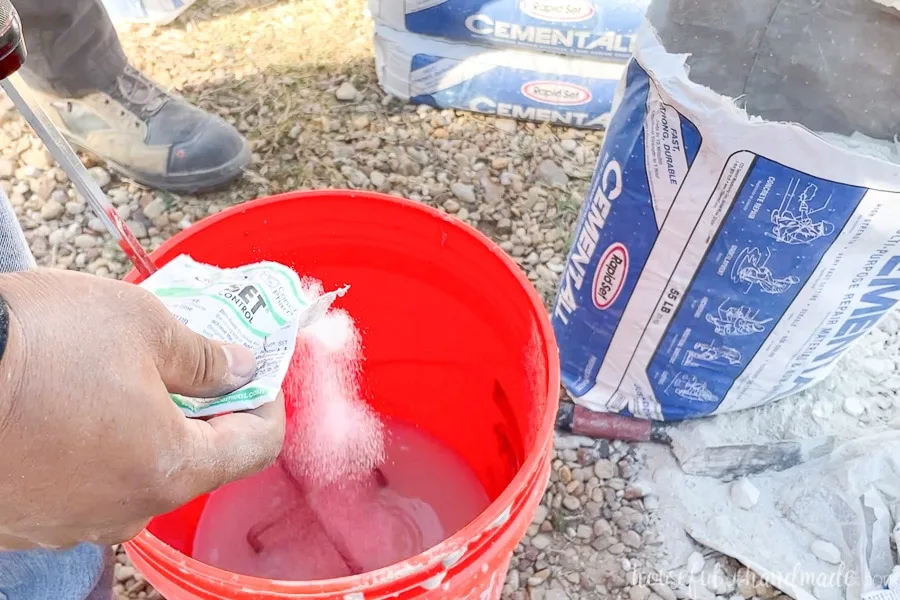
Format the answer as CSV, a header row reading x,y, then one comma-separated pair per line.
x,y
338,530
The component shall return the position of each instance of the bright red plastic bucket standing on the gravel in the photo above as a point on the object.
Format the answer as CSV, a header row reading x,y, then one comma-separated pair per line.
x,y
456,341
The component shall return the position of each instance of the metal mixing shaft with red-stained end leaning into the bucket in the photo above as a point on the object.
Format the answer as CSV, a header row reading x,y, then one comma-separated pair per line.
x,y
12,57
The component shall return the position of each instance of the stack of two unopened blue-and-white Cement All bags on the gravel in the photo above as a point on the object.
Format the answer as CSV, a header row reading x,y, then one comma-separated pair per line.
x,y
556,61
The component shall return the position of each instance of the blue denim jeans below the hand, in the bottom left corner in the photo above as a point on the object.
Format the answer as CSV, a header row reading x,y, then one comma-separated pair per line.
x,y
82,573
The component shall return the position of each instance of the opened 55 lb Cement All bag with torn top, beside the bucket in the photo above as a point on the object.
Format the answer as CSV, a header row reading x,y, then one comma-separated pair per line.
x,y
720,261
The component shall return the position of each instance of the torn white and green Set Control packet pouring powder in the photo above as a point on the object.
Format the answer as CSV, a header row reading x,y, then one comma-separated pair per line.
x,y
260,306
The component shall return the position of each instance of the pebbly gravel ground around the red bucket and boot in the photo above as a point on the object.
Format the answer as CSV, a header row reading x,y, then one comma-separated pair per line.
x,y
297,79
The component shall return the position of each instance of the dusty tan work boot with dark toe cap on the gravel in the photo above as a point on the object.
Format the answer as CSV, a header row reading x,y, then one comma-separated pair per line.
x,y
151,137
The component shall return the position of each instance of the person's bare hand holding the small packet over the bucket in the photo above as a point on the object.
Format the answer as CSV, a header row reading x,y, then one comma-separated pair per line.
x,y
91,444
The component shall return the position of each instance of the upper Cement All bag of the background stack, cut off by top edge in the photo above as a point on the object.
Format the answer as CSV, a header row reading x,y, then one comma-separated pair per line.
x,y
598,28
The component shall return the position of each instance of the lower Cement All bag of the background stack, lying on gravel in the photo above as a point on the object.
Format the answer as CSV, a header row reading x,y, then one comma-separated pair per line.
x,y
540,87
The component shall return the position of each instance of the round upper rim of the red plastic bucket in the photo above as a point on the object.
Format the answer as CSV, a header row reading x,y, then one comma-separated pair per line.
x,y
494,516
